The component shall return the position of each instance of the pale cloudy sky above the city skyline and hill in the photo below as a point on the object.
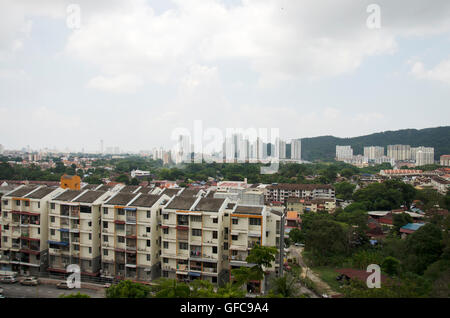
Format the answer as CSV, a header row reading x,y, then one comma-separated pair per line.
x,y
131,72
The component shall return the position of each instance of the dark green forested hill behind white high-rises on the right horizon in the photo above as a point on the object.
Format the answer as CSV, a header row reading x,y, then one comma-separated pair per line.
x,y
324,147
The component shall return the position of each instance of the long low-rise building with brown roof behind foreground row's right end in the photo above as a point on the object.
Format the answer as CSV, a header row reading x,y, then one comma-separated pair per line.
x,y
280,192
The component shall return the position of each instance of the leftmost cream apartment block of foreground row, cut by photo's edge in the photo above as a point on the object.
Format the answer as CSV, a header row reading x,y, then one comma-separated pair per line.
x,y
24,229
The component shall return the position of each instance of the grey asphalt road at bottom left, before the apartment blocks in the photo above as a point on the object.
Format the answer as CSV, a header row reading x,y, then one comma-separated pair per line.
x,y
44,291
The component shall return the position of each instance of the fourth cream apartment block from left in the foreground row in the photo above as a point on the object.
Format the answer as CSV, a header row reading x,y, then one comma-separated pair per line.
x,y
193,239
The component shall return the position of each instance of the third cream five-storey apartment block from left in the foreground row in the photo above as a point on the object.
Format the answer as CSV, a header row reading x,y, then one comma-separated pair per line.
x,y
130,236
